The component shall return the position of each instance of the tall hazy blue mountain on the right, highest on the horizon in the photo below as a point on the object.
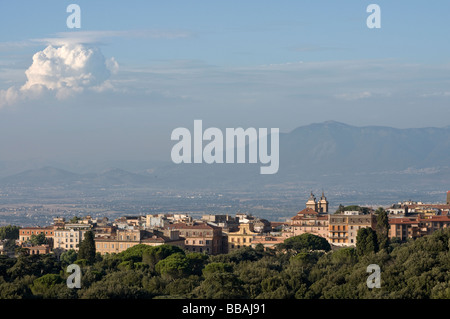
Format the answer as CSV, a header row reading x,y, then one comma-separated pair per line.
x,y
333,147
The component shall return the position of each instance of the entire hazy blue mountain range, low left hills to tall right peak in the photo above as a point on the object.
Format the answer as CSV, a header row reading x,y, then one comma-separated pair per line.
x,y
328,153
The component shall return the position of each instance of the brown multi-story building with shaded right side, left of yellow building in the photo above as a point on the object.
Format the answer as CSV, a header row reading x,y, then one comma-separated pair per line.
x,y
201,237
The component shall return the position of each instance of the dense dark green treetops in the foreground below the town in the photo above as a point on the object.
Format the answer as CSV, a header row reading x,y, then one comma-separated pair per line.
x,y
303,267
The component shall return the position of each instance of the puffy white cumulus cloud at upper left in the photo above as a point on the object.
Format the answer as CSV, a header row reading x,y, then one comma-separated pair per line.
x,y
63,71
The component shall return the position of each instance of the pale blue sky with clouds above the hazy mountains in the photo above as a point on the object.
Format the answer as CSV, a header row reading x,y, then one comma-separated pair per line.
x,y
118,86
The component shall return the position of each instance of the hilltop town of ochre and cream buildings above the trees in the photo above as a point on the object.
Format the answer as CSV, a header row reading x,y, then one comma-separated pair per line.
x,y
220,234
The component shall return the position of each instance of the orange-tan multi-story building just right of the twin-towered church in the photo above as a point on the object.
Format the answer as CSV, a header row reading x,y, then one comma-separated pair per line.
x,y
343,228
